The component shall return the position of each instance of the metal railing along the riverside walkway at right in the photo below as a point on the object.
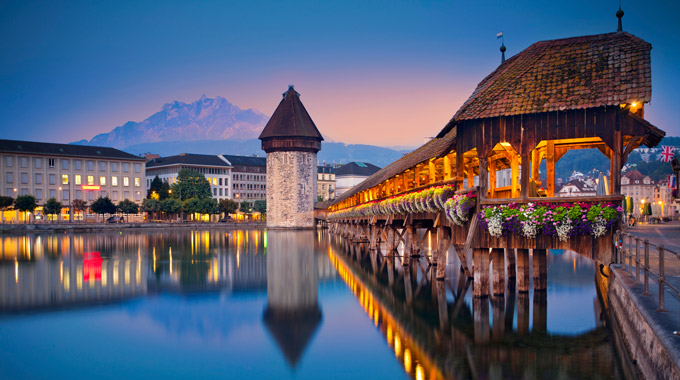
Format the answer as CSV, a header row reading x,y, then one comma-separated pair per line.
x,y
632,253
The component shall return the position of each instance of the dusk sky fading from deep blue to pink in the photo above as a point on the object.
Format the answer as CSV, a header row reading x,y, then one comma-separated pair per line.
x,y
375,72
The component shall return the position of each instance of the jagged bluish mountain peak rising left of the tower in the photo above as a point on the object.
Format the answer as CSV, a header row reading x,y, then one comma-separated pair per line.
x,y
204,119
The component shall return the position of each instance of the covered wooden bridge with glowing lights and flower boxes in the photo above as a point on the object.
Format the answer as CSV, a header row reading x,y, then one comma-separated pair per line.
x,y
553,97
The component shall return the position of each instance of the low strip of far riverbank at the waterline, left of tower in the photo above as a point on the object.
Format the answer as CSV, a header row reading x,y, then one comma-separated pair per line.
x,y
90,227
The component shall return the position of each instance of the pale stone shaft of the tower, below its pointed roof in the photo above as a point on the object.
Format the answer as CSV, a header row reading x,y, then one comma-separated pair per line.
x,y
291,189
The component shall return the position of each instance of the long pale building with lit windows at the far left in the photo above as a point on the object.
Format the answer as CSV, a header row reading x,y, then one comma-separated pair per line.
x,y
67,172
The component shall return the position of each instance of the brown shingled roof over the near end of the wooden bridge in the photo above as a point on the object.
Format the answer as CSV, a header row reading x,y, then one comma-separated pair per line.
x,y
570,73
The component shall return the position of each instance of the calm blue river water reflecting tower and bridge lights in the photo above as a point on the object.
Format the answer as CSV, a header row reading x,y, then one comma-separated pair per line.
x,y
275,305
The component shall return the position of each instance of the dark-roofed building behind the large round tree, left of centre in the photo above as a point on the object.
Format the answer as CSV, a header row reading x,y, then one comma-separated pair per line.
x,y
215,168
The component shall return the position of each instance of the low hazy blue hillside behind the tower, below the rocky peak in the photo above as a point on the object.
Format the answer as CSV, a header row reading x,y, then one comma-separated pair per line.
x,y
331,152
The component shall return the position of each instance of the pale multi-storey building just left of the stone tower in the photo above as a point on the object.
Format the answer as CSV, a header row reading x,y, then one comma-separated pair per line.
x,y
249,177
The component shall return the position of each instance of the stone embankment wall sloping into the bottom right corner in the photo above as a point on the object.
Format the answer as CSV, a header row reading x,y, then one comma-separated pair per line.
x,y
648,337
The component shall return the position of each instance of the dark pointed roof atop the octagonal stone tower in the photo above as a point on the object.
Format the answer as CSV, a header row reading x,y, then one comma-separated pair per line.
x,y
290,119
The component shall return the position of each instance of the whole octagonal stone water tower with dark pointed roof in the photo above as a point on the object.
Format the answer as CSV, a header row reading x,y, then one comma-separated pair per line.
x,y
291,141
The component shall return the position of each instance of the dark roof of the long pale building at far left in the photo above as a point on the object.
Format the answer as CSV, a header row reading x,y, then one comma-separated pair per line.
x,y
52,149
